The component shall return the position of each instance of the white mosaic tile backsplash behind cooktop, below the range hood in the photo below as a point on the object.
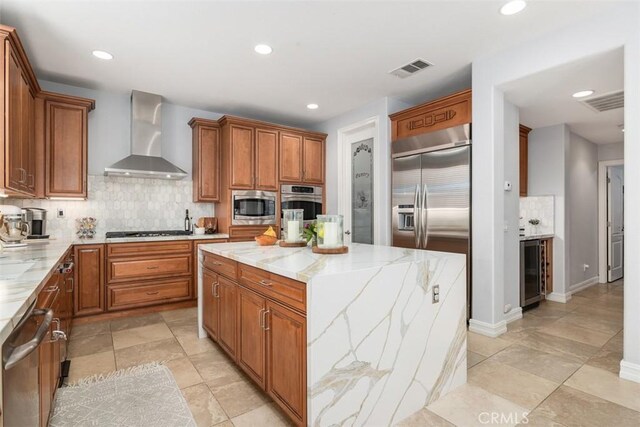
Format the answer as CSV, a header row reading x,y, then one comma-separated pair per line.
x,y
123,204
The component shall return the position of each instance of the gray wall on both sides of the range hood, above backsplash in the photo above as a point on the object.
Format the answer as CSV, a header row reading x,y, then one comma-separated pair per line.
x,y
110,127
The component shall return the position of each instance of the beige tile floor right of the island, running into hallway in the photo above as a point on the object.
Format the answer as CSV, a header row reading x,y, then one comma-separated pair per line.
x,y
558,364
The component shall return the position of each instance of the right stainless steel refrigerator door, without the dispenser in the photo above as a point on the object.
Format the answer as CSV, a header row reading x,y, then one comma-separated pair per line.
x,y
446,200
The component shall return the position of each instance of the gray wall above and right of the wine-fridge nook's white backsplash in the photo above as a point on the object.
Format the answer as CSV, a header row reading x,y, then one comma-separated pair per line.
x,y
548,153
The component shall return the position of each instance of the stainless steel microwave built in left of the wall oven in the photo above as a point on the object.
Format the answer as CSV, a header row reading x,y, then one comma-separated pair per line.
x,y
252,207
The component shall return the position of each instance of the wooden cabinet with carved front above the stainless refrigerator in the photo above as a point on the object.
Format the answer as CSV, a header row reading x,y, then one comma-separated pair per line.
x,y
452,110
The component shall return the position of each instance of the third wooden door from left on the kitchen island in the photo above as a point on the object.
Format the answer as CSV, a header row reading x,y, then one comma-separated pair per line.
x,y
251,337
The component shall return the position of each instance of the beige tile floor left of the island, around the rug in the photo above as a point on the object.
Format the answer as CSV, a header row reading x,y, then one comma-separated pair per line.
x,y
217,392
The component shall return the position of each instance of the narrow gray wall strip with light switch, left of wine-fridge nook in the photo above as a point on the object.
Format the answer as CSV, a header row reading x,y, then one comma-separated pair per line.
x,y
512,205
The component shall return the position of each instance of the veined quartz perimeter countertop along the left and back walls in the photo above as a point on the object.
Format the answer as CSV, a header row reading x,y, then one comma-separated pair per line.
x,y
24,270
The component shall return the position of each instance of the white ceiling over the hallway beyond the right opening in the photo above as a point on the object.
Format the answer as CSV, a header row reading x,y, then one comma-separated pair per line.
x,y
545,98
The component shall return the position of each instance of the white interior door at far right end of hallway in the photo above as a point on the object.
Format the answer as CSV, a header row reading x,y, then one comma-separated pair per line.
x,y
615,222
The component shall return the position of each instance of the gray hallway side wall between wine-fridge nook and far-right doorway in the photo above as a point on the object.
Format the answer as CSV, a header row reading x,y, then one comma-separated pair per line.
x,y
582,198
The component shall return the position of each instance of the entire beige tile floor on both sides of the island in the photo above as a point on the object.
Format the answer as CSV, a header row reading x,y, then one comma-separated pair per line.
x,y
558,364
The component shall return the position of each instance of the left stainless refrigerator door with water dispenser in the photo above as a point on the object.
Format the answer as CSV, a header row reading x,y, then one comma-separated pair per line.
x,y
406,201
